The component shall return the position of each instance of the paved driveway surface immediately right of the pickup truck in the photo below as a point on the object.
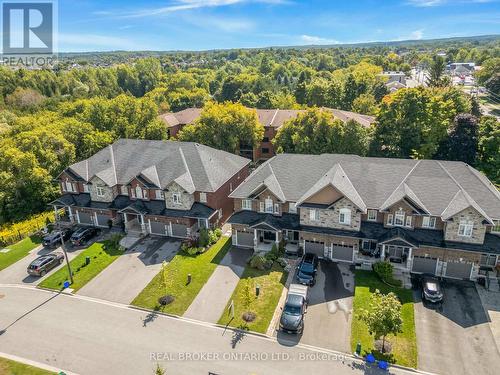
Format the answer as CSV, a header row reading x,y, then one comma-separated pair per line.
x,y
328,319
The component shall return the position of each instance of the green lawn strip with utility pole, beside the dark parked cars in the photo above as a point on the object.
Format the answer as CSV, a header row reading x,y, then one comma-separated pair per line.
x,y
101,254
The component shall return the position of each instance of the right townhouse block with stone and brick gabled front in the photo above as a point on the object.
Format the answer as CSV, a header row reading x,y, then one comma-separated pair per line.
x,y
424,216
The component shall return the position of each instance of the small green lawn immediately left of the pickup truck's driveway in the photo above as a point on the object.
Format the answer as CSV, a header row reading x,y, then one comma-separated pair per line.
x,y
271,284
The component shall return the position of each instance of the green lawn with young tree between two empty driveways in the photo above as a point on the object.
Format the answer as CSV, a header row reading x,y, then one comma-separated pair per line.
x,y
200,267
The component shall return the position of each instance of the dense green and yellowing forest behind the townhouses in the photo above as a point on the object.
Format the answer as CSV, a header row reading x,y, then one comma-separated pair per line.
x,y
52,118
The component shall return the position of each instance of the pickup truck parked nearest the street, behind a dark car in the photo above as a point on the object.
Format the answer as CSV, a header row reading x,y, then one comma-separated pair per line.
x,y
292,317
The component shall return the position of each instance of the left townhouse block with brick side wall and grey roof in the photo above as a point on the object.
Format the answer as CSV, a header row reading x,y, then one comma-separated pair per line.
x,y
159,187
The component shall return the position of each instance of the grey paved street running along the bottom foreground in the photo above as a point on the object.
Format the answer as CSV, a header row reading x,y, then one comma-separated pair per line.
x,y
85,336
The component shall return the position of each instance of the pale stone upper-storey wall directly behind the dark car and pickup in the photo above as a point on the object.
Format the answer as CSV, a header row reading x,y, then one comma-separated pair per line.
x,y
329,218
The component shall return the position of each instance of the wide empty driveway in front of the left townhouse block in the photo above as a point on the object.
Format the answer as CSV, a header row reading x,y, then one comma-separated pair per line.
x,y
127,276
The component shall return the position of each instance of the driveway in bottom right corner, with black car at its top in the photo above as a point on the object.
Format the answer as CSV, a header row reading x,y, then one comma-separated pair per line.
x,y
455,338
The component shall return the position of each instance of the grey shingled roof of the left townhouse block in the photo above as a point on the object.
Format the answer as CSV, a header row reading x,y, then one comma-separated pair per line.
x,y
193,166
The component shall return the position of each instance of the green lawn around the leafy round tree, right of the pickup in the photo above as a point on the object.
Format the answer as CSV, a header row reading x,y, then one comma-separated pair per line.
x,y
404,345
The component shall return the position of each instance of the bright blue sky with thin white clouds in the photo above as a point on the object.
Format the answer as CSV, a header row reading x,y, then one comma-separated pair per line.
x,y
91,25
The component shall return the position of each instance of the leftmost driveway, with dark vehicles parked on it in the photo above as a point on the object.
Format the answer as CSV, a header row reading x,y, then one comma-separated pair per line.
x,y
16,273
